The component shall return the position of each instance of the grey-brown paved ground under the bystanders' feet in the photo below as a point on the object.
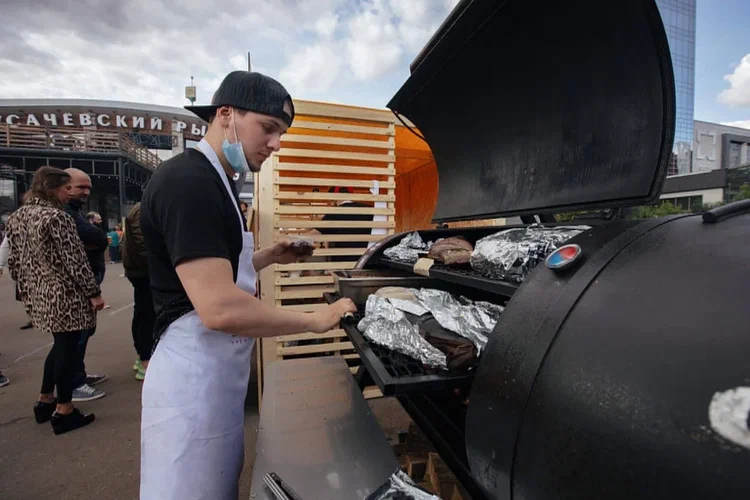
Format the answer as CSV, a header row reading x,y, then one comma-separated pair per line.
x,y
101,461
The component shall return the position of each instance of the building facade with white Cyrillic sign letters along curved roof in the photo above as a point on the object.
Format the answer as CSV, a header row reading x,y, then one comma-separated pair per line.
x,y
119,144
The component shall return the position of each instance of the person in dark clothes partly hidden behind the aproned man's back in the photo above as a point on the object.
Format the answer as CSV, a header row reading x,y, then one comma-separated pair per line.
x,y
135,262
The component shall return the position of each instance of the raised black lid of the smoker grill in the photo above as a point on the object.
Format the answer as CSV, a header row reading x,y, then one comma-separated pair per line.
x,y
544,106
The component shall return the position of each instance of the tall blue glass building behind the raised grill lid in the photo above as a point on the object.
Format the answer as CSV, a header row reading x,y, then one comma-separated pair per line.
x,y
679,20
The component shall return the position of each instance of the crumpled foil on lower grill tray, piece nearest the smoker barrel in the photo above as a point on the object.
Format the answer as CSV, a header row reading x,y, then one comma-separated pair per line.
x,y
472,320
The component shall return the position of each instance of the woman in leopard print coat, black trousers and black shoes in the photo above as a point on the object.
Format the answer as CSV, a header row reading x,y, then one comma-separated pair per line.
x,y
57,287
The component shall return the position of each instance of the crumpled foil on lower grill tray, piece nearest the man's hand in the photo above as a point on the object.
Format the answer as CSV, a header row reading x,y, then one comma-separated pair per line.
x,y
385,325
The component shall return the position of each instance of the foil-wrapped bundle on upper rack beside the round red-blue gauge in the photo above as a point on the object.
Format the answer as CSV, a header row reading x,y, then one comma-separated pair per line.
x,y
511,254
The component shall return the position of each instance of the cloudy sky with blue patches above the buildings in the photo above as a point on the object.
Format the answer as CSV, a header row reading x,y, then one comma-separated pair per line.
x,y
353,52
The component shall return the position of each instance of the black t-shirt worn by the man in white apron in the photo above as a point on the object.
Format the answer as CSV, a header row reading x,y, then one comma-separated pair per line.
x,y
186,213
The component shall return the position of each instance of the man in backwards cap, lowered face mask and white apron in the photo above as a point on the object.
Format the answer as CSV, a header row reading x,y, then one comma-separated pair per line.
x,y
202,267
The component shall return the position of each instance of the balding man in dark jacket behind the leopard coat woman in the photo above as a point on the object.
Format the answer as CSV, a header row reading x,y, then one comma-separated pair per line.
x,y
95,243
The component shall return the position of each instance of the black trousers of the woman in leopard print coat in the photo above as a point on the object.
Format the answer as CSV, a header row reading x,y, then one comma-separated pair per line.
x,y
60,366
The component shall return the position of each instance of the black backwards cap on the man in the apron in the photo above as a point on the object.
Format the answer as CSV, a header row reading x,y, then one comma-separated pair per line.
x,y
252,92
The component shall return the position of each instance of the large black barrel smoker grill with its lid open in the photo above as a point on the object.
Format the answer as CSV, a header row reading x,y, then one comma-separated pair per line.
x,y
597,381
